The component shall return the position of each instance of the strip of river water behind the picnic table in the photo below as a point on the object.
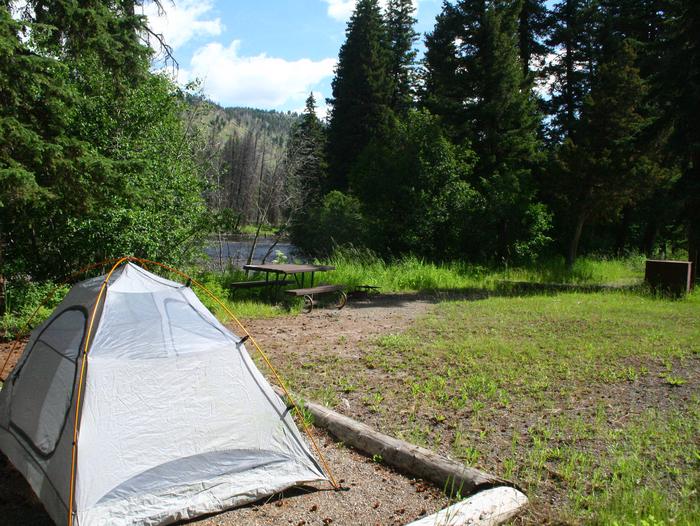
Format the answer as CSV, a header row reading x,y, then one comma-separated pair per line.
x,y
235,252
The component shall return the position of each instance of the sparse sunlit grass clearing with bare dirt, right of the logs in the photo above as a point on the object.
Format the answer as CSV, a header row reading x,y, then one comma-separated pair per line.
x,y
590,402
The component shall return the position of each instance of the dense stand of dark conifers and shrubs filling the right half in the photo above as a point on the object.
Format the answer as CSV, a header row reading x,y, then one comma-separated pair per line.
x,y
528,128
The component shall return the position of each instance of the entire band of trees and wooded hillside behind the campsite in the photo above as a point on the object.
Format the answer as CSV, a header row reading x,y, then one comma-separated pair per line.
x,y
527,129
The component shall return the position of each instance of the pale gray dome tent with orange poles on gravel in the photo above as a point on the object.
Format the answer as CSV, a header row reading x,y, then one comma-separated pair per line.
x,y
174,421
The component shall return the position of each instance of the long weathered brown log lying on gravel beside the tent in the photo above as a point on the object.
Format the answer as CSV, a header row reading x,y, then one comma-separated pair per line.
x,y
456,479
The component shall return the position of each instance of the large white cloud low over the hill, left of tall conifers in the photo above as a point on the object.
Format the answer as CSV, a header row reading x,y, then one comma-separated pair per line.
x,y
259,81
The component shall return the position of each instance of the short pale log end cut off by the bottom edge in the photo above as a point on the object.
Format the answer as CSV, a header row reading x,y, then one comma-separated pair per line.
x,y
490,507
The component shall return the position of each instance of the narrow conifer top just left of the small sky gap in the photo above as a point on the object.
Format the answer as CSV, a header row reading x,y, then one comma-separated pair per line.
x,y
402,38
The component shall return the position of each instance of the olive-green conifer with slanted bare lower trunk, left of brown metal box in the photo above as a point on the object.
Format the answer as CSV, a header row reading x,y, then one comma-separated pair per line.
x,y
605,169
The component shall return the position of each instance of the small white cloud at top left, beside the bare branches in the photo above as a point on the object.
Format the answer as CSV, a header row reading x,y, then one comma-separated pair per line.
x,y
183,21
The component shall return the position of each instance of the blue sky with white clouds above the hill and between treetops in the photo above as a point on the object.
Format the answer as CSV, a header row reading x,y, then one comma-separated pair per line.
x,y
266,53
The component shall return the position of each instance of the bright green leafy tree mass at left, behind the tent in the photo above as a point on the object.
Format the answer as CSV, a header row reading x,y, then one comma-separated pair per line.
x,y
95,160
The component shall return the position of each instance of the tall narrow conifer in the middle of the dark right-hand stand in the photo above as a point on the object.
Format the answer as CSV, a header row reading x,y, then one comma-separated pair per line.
x,y
506,142
